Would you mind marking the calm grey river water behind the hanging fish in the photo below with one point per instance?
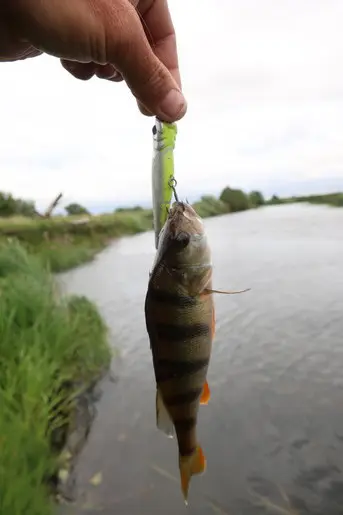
(273, 429)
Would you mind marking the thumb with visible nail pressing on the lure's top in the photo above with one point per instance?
(130, 52)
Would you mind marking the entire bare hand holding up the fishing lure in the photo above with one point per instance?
(130, 40)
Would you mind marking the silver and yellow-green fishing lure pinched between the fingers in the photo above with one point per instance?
(162, 173)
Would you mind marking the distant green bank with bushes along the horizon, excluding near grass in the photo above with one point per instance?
(65, 241)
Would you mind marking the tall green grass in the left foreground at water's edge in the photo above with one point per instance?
(48, 345)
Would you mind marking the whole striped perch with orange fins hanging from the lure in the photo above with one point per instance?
(180, 321)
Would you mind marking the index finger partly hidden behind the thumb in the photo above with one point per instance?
(160, 32)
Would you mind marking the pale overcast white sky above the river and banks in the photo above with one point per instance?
(264, 85)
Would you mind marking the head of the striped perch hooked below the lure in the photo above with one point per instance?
(183, 242)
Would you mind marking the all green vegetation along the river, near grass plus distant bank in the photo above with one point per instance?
(55, 348)
